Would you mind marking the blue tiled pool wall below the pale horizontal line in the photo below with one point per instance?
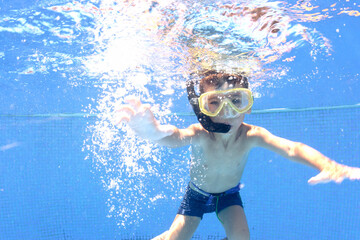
(48, 190)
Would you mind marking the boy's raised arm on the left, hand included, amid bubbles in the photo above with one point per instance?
(141, 119)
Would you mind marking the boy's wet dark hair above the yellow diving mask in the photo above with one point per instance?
(217, 79)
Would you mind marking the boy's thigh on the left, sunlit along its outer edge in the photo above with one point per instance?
(183, 227)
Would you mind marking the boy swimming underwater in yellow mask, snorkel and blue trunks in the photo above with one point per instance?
(220, 146)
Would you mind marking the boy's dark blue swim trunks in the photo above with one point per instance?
(196, 204)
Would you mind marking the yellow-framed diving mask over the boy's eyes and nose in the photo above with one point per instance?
(236, 100)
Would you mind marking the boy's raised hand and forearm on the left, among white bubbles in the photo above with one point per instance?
(141, 119)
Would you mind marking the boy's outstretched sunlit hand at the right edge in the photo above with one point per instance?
(337, 173)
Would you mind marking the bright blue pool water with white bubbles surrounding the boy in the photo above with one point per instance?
(67, 173)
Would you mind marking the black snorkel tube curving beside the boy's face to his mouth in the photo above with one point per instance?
(204, 120)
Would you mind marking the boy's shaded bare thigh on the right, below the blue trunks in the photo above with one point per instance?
(234, 222)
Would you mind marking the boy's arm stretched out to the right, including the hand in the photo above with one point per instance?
(299, 152)
